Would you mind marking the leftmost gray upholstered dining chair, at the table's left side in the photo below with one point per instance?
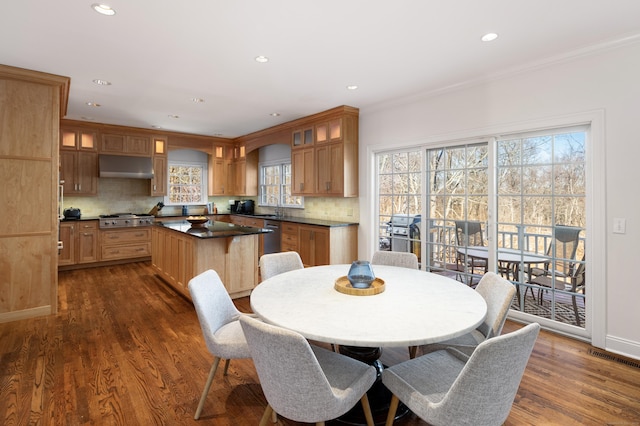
(218, 318)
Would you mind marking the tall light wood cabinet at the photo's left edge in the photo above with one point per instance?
(31, 105)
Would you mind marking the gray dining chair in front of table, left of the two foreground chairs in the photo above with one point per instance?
(302, 382)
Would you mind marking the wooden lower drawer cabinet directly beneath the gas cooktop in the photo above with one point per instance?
(127, 243)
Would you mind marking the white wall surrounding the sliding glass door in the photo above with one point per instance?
(606, 83)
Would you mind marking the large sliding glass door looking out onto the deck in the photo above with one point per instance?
(511, 204)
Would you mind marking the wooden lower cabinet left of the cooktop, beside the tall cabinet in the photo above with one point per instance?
(79, 242)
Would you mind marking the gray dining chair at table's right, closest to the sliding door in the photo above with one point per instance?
(498, 293)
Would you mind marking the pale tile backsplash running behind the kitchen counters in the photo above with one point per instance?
(132, 196)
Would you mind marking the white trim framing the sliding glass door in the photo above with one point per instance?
(596, 274)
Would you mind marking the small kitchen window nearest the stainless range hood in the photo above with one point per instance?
(187, 178)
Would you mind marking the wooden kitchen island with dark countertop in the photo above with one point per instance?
(180, 251)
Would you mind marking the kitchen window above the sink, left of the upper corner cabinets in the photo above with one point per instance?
(275, 186)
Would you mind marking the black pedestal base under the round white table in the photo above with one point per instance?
(379, 396)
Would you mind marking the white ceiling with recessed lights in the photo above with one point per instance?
(160, 54)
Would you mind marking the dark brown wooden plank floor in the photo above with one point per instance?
(126, 350)
